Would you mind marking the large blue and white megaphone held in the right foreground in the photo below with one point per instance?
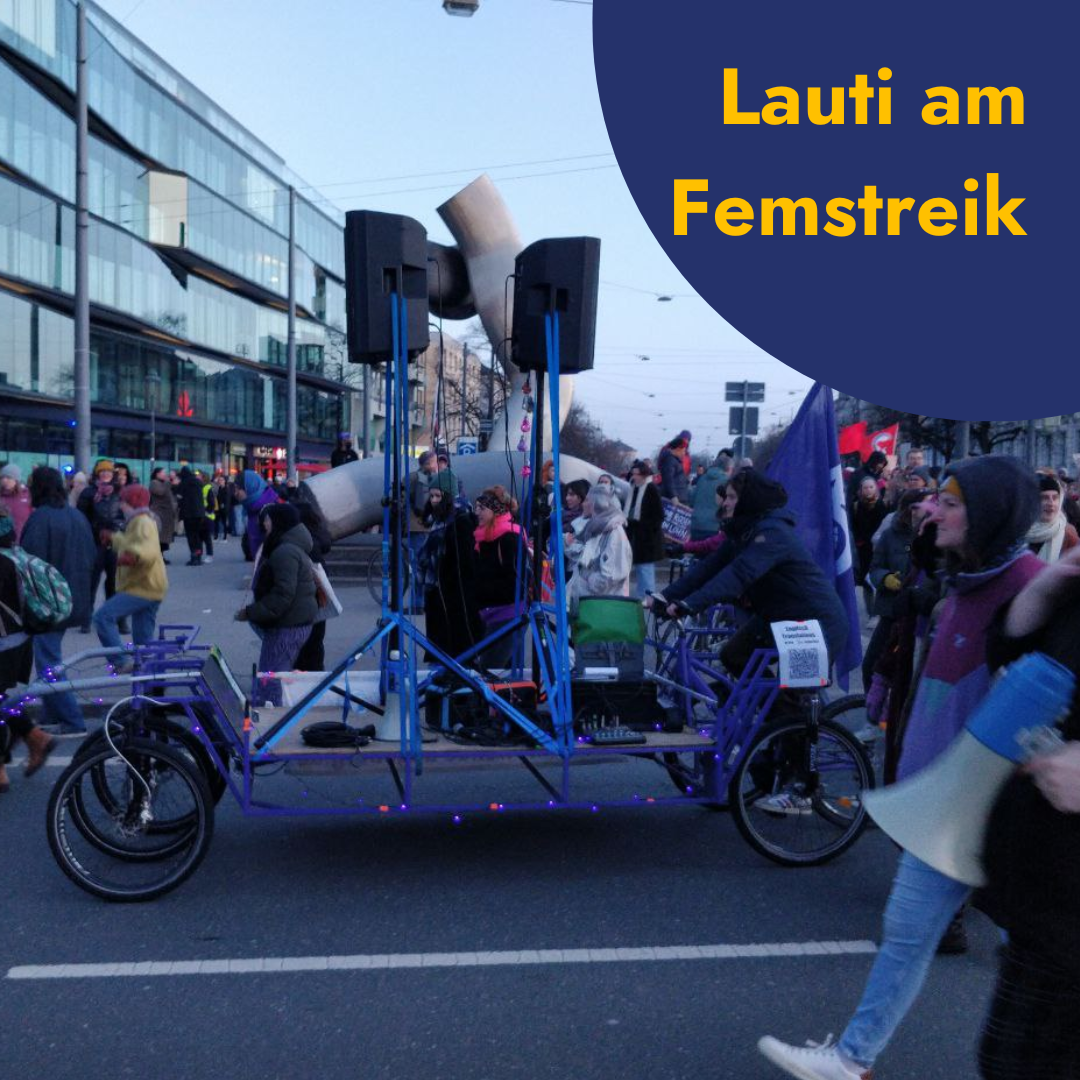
(940, 815)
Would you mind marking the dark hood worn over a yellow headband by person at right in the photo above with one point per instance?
(1003, 501)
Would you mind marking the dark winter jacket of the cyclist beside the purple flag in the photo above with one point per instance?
(767, 565)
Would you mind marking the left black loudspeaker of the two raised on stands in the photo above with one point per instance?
(384, 253)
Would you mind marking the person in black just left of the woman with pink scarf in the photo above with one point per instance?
(447, 566)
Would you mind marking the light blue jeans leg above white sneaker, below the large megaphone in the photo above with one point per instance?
(921, 908)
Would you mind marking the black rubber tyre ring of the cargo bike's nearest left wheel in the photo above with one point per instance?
(96, 872)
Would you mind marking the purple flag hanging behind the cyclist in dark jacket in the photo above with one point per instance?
(808, 465)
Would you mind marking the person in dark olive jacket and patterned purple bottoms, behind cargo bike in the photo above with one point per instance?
(285, 607)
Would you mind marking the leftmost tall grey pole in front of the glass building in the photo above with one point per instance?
(83, 416)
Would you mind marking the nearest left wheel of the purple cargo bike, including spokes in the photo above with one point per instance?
(151, 781)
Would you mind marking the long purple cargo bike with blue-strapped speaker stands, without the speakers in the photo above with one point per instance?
(133, 816)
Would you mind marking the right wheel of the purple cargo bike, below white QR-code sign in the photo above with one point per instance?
(801, 804)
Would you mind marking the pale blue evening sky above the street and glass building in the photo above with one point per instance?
(394, 105)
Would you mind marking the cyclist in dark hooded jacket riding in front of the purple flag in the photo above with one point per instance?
(764, 563)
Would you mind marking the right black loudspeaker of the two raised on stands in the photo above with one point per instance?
(561, 275)
